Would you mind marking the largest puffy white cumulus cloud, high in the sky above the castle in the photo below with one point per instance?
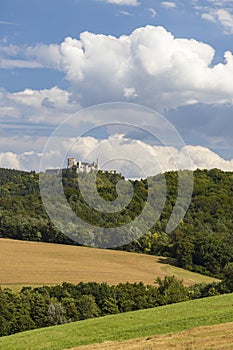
(160, 70)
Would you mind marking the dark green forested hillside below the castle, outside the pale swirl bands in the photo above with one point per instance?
(202, 242)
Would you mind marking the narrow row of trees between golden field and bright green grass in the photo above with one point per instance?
(46, 306)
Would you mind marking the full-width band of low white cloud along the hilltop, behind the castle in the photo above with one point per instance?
(133, 158)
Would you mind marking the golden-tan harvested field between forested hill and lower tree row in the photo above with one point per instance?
(32, 263)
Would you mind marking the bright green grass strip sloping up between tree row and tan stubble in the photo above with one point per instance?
(144, 323)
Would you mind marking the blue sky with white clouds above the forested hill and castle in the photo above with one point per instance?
(59, 58)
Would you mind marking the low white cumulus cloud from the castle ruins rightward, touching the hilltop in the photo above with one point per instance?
(135, 158)
